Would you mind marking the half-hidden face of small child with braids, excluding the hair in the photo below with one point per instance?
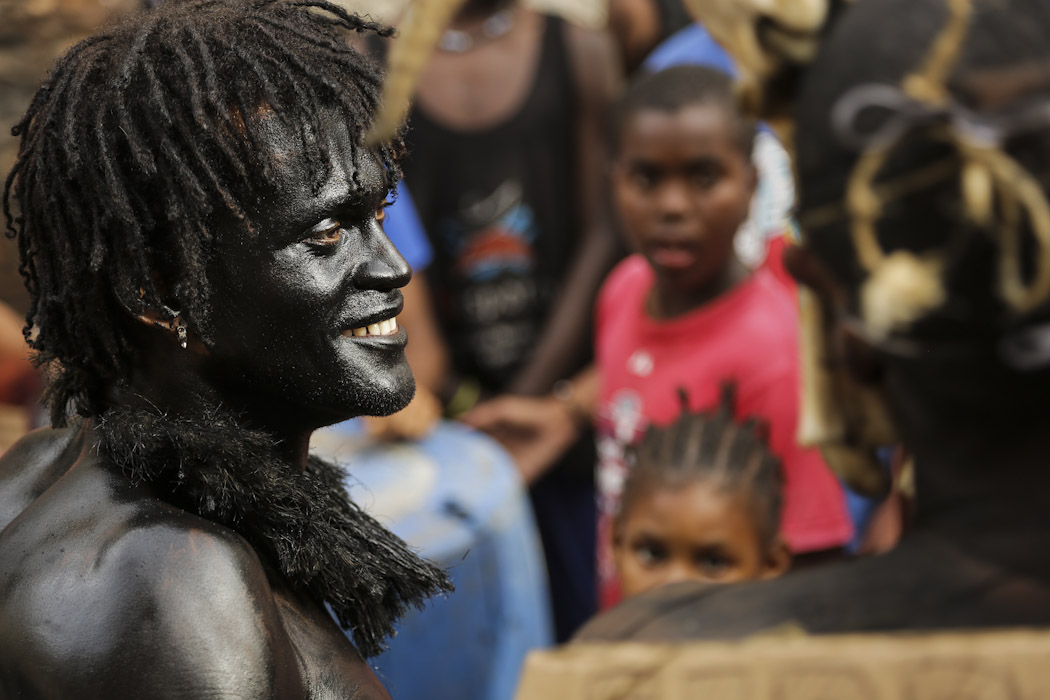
(698, 532)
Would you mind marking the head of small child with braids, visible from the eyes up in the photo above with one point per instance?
(702, 503)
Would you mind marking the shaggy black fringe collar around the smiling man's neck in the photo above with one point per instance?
(215, 466)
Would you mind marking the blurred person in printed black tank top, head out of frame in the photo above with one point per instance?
(513, 201)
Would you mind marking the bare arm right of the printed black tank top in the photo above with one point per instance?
(566, 335)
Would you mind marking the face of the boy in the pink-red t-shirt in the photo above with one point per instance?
(683, 188)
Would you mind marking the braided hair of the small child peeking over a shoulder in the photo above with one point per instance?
(710, 446)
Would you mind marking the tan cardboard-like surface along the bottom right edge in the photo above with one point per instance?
(996, 666)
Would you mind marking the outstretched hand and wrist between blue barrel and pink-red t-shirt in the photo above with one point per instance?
(537, 431)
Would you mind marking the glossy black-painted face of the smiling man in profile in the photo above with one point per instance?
(303, 306)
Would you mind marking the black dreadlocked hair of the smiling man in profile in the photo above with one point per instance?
(140, 137)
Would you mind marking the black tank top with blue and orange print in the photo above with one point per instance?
(499, 206)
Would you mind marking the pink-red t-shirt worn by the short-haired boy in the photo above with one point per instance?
(749, 335)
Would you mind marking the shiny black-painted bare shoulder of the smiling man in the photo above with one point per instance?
(101, 578)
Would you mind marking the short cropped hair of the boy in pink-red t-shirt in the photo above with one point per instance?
(676, 89)
